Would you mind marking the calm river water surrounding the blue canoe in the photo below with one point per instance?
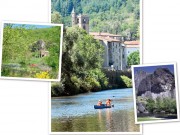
(77, 113)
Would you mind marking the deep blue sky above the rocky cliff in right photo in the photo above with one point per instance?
(151, 69)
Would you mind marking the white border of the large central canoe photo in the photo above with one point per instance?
(141, 60)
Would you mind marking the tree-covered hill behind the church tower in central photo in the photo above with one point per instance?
(113, 16)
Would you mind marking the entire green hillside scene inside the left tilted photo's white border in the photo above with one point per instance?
(31, 51)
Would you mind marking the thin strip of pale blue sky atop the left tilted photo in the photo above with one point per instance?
(30, 25)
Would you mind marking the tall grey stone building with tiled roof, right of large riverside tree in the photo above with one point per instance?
(114, 50)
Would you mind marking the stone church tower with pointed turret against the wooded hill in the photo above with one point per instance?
(80, 20)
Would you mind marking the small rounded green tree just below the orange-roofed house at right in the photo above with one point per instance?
(133, 59)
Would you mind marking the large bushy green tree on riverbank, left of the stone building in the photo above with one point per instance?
(81, 64)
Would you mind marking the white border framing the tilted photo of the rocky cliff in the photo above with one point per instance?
(176, 89)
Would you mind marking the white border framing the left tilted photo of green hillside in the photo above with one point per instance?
(32, 79)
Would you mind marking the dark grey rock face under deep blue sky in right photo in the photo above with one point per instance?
(160, 83)
